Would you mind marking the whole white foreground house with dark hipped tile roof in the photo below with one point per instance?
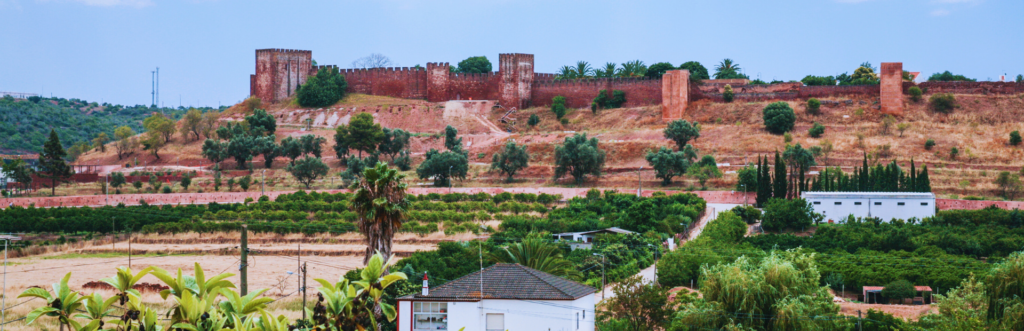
(515, 299)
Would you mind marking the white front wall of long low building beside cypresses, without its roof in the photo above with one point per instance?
(886, 210)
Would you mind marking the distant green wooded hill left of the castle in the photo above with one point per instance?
(25, 125)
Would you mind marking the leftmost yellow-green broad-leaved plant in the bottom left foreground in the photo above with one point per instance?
(61, 305)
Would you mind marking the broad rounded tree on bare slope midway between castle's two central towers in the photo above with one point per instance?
(579, 158)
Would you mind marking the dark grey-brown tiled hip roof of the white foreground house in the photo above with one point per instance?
(508, 281)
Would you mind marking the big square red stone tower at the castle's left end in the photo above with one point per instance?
(279, 72)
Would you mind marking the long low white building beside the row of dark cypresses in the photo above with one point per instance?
(884, 205)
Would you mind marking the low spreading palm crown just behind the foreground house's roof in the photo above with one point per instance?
(537, 255)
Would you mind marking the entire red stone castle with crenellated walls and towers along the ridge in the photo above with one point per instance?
(280, 72)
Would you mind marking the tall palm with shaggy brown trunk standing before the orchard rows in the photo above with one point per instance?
(380, 202)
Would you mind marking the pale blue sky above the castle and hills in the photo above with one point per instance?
(105, 51)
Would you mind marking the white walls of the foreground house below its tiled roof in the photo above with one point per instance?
(520, 315)
